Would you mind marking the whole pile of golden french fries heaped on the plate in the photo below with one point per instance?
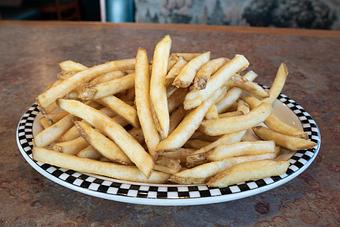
(182, 117)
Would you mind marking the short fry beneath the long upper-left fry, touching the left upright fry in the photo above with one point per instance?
(108, 88)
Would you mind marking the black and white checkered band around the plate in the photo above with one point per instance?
(113, 187)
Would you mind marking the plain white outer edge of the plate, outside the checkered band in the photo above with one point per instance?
(173, 201)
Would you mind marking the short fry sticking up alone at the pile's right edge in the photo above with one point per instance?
(278, 83)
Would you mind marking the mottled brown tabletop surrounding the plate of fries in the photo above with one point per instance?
(30, 52)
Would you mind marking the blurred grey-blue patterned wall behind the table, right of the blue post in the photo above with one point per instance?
(320, 14)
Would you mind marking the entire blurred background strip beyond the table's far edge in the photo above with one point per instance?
(318, 14)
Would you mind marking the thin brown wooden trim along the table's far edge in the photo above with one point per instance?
(181, 27)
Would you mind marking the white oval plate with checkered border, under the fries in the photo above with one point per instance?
(170, 194)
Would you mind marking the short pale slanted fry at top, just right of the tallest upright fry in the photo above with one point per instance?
(188, 72)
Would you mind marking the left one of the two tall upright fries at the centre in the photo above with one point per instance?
(143, 102)
